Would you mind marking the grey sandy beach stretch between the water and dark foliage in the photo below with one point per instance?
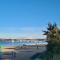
(25, 53)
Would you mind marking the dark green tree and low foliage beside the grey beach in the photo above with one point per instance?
(53, 47)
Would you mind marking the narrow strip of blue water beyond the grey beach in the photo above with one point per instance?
(21, 43)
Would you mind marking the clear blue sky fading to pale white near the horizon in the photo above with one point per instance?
(27, 18)
